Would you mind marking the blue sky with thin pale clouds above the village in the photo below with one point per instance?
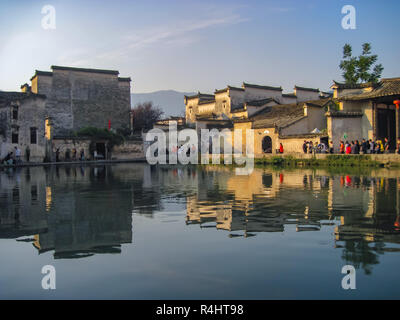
(196, 45)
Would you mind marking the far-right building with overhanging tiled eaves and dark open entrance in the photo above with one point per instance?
(366, 111)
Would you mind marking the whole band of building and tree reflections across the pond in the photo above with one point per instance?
(78, 211)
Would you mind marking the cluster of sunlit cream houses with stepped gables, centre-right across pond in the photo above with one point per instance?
(274, 116)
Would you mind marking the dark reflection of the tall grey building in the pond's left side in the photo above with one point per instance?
(59, 216)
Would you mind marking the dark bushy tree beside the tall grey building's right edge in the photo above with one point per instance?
(144, 115)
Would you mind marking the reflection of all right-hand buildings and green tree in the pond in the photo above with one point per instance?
(363, 213)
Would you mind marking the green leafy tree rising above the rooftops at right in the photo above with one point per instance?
(357, 69)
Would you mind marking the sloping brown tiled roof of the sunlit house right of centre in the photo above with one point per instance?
(284, 115)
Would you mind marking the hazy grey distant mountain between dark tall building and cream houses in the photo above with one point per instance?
(170, 101)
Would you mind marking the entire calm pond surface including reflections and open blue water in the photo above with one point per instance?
(131, 231)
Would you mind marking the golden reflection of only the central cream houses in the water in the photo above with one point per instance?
(261, 202)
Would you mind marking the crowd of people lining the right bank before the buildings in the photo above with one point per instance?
(365, 146)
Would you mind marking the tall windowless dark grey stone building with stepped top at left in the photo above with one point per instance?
(78, 98)
